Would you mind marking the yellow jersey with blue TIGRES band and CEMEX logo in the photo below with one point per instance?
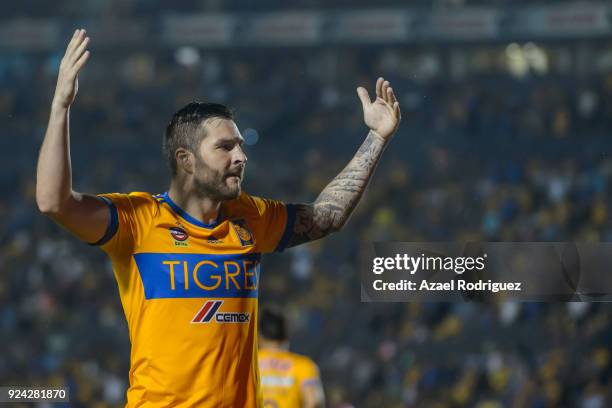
(189, 293)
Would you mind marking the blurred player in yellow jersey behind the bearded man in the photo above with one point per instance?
(288, 380)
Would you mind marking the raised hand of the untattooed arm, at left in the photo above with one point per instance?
(75, 58)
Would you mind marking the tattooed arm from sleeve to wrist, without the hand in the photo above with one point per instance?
(337, 201)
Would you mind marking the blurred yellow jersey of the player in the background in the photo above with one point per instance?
(283, 377)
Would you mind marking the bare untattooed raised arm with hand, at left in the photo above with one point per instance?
(84, 215)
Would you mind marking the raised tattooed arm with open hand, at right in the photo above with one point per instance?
(334, 205)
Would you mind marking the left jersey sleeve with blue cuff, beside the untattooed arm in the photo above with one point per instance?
(130, 218)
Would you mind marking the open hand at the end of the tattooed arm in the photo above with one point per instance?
(383, 115)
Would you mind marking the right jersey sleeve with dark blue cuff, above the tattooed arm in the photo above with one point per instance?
(273, 223)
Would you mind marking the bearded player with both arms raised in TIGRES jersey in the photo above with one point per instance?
(187, 261)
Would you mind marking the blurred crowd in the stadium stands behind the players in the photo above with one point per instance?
(483, 156)
